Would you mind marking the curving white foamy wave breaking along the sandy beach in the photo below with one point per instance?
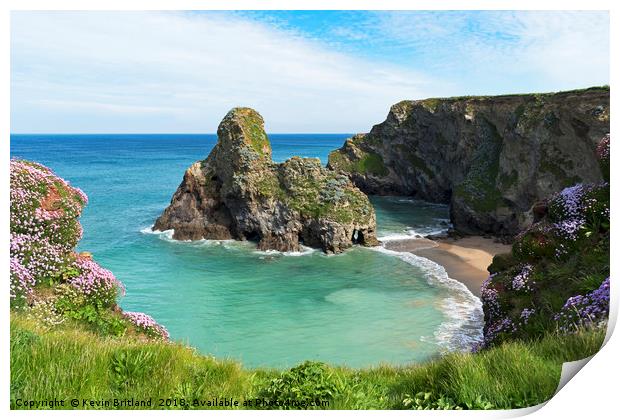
(465, 318)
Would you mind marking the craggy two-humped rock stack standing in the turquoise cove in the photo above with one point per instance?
(238, 192)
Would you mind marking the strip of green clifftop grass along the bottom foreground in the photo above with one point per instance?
(66, 363)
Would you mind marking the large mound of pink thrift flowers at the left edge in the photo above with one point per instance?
(44, 231)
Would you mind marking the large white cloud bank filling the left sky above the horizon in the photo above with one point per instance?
(188, 70)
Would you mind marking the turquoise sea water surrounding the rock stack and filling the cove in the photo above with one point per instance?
(360, 308)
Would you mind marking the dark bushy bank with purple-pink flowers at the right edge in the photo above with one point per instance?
(548, 282)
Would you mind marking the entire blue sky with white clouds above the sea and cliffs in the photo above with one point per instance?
(304, 71)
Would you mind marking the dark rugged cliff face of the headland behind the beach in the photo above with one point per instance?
(490, 158)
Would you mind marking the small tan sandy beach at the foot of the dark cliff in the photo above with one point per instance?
(465, 259)
